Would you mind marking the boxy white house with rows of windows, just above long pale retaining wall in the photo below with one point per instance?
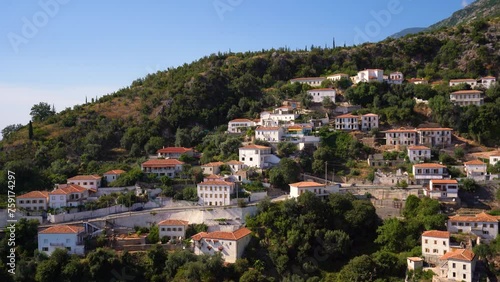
(215, 192)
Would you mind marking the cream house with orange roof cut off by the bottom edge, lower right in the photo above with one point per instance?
(459, 265)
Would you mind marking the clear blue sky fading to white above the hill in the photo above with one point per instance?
(61, 51)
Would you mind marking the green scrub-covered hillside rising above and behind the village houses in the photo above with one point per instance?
(121, 128)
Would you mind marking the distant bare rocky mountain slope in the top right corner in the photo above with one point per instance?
(478, 9)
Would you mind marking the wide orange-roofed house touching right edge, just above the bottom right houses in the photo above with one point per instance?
(482, 225)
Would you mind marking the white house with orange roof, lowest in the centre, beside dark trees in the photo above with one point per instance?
(230, 245)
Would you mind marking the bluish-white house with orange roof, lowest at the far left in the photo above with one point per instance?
(67, 237)
